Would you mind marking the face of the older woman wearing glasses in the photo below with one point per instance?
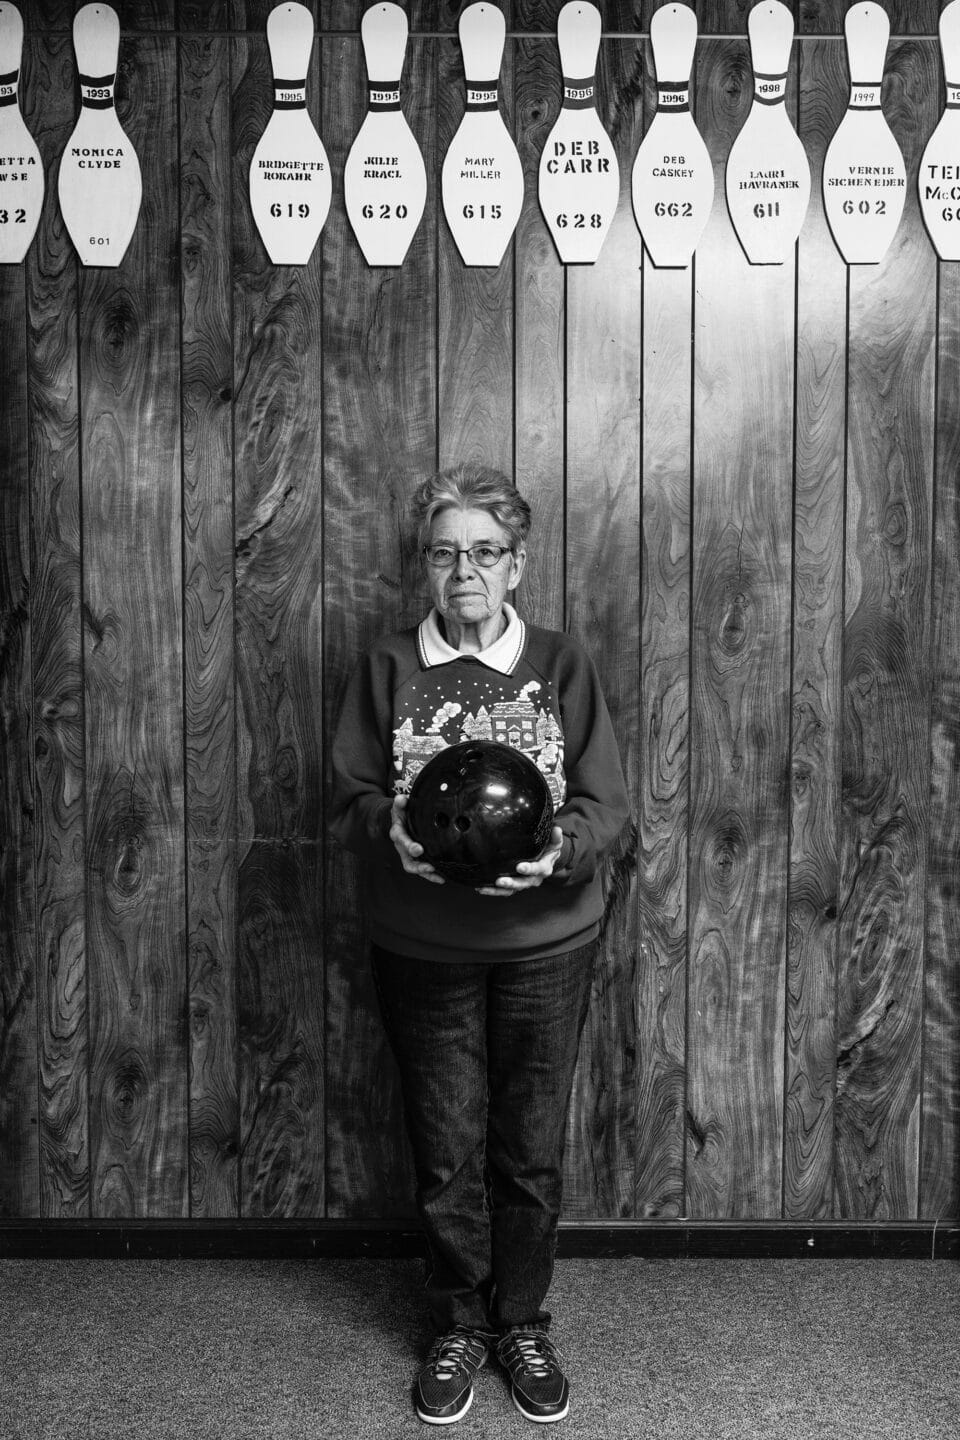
(468, 594)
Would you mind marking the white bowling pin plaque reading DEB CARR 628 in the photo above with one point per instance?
(579, 175)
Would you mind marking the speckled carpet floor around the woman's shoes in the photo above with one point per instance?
(326, 1350)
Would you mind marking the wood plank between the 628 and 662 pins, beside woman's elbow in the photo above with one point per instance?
(604, 447)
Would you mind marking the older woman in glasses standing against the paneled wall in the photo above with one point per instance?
(483, 991)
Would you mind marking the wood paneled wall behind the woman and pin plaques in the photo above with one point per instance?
(746, 505)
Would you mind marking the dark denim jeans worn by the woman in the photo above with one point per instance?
(487, 1055)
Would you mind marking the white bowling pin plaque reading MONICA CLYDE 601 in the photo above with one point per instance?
(99, 185)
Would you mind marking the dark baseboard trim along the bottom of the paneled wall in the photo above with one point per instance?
(304, 1241)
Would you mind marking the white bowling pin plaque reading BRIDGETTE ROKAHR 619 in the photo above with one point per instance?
(290, 172)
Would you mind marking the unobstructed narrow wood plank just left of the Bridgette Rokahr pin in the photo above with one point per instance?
(209, 676)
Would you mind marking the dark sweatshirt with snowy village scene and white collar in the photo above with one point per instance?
(538, 690)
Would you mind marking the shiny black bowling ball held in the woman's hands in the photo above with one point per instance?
(479, 809)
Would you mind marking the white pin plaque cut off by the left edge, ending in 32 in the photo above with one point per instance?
(21, 166)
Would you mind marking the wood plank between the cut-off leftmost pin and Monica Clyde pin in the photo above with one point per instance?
(58, 686)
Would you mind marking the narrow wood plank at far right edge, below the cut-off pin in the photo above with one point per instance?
(941, 1150)
